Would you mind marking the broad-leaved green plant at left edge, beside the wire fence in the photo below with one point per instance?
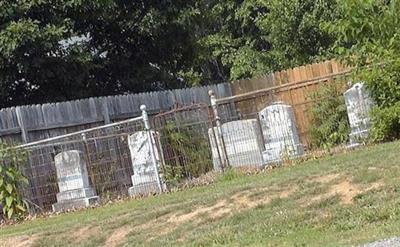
(10, 180)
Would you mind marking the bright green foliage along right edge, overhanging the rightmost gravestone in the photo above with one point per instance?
(368, 37)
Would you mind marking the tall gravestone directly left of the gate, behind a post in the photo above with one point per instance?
(145, 178)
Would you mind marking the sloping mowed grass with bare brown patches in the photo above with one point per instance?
(341, 200)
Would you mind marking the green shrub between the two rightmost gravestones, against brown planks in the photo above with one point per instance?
(329, 126)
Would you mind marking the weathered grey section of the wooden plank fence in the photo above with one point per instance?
(36, 122)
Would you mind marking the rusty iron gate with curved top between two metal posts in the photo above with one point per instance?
(184, 138)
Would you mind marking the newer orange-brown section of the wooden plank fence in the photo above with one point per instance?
(293, 86)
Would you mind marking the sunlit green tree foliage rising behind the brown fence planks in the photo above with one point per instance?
(250, 38)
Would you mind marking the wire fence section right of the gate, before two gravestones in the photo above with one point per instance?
(271, 125)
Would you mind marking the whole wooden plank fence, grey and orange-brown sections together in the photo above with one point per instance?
(293, 86)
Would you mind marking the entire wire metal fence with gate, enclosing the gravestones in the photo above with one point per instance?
(139, 157)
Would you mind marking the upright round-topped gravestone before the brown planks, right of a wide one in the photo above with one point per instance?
(280, 134)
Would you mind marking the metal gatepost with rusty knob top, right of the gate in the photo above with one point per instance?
(219, 137)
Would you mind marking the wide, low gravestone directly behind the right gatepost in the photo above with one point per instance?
(243, 144)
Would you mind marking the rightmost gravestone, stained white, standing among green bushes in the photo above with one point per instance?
(358, 103)
